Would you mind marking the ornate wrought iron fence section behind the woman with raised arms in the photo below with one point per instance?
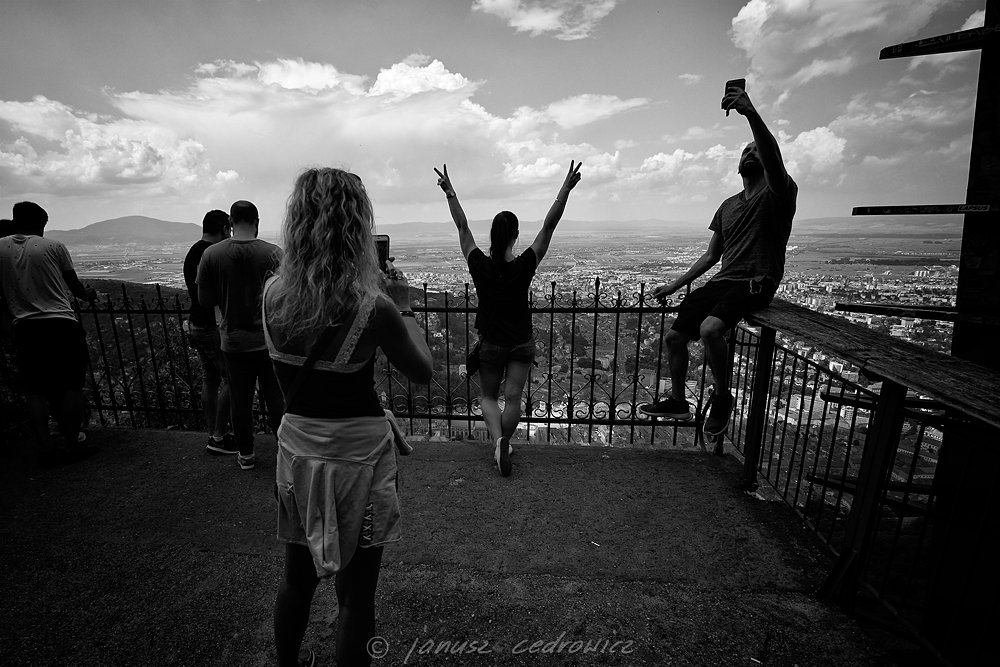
(600, 355)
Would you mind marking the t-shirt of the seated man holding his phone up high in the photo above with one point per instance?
(755, 233)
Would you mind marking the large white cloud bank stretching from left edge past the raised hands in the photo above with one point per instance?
(243, 130)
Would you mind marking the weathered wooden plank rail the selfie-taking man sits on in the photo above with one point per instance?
(970, 389)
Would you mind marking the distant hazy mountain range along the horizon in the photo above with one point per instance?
(144, 231)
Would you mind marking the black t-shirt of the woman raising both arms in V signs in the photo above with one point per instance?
(503, 316)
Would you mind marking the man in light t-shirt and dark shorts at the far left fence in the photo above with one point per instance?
(35, 275)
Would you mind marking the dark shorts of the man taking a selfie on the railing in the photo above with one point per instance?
(728, 300)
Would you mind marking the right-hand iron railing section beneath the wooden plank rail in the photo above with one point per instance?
(858, 463)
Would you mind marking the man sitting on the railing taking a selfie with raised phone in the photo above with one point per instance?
(751, 230)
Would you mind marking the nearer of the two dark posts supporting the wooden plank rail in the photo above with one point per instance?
(841, 584)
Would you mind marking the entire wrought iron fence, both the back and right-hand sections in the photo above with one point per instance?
(856, 460)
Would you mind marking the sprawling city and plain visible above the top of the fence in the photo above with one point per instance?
(909, 260)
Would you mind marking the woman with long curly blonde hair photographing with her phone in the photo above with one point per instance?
(336, 471)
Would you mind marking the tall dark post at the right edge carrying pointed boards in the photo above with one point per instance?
(961, 605)
